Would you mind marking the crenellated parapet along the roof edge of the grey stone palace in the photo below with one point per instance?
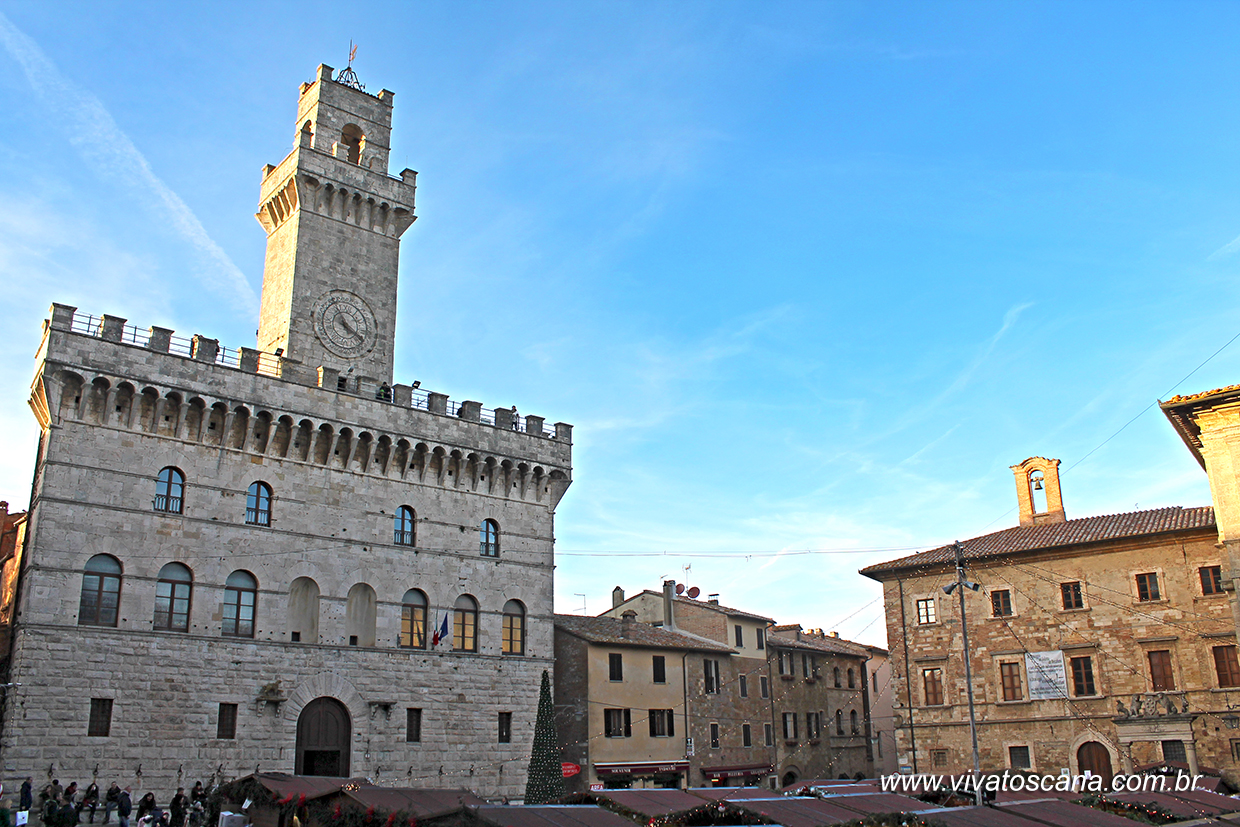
(197, 365)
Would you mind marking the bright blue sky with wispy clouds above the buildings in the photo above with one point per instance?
(803, 276)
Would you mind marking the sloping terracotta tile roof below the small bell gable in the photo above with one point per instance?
(1073, 533)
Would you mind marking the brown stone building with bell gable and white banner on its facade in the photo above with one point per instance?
(1123, 614)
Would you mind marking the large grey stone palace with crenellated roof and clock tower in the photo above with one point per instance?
(242, 560)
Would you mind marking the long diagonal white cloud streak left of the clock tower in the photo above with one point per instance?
(96, 135)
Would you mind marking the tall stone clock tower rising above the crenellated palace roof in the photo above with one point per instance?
(334, 219)
